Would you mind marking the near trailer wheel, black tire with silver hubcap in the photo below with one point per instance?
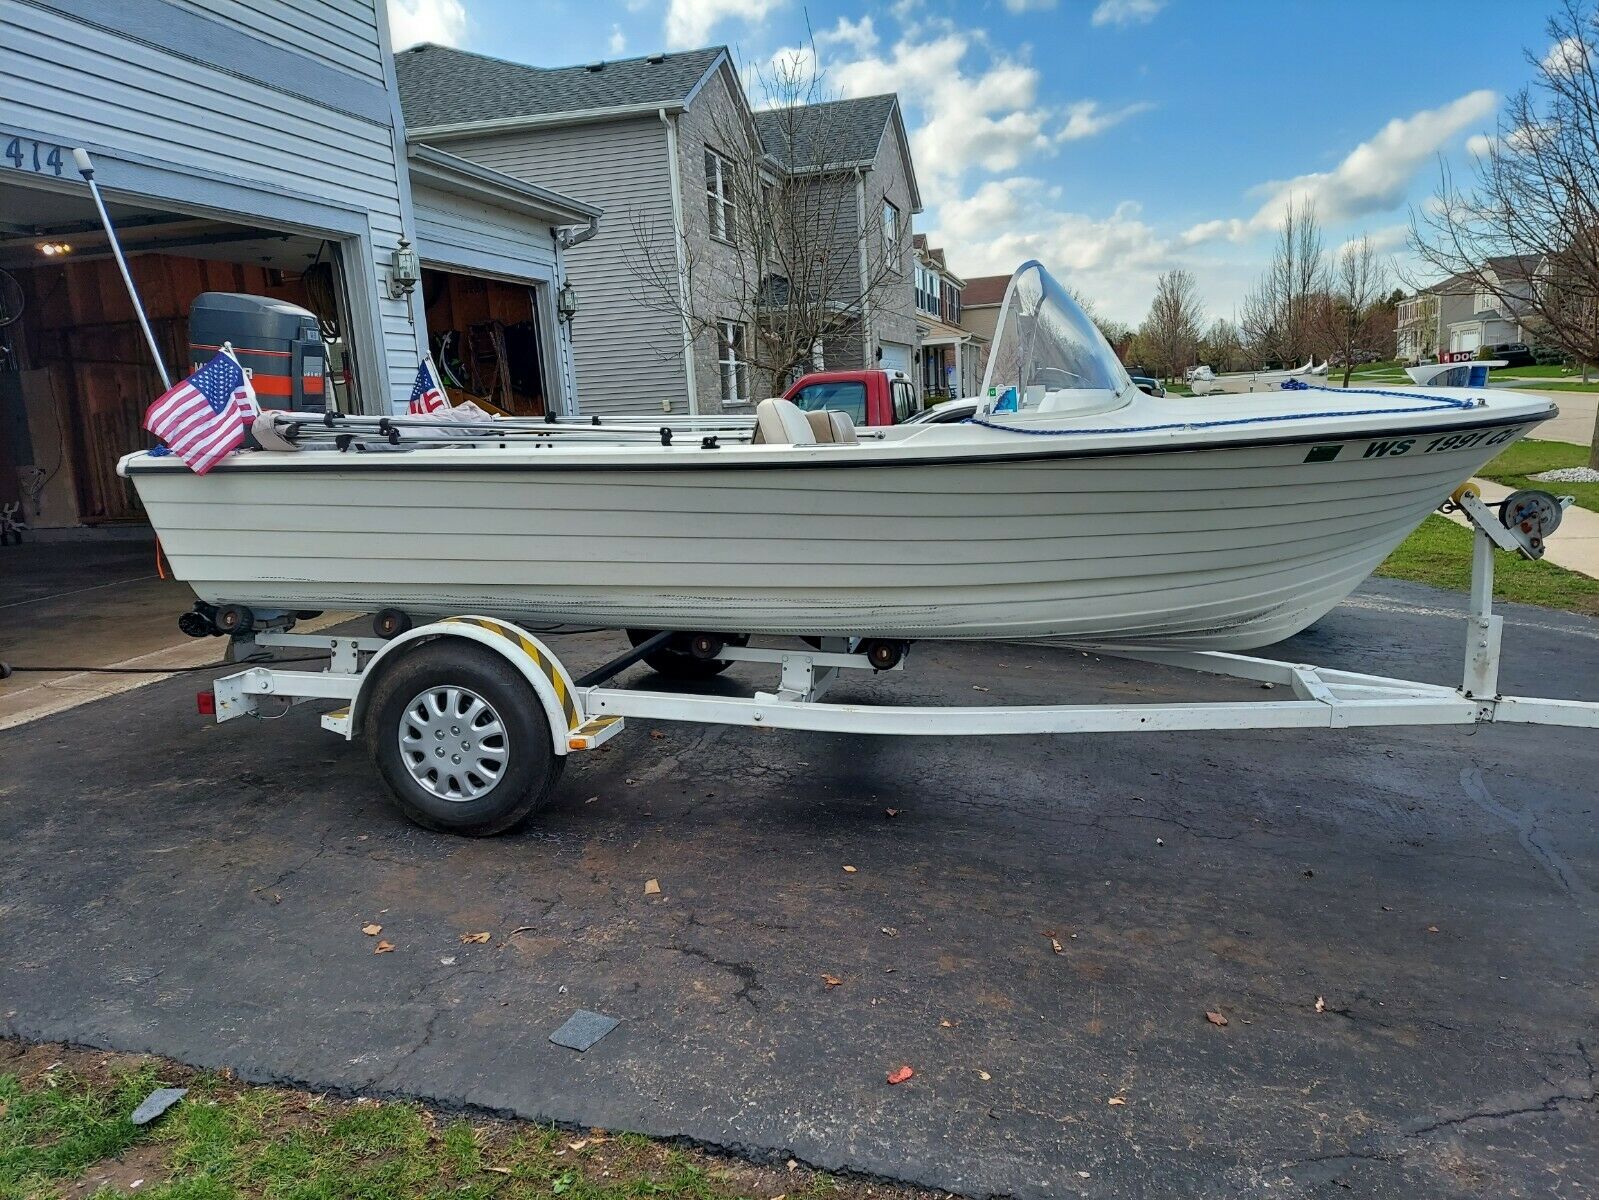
(461, 740)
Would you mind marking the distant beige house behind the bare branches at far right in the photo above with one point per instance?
(1467, 313)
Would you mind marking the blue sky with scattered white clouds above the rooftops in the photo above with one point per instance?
(1109, 138)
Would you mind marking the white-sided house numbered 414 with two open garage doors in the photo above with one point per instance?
(247, 146)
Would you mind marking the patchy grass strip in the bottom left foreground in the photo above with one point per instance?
(65, 1132)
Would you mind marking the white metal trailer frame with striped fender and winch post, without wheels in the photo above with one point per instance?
(583, 714)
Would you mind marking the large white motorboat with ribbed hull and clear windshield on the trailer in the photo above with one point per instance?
(1072, 506)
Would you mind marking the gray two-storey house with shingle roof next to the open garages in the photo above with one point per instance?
(669, 148)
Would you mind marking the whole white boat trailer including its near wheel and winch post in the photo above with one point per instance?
(471, 719)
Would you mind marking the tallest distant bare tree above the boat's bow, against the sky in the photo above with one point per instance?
(1283, 316)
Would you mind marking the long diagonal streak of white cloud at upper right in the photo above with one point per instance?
(1373, 178)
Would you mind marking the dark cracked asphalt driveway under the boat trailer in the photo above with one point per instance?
(1398, 927)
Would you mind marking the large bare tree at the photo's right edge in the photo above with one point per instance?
(1528, 228)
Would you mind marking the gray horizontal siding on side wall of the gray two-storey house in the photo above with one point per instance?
(628, 348)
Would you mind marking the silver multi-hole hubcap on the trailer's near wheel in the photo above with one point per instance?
(453, 743)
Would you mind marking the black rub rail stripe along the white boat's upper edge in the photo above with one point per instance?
(708, 460)
